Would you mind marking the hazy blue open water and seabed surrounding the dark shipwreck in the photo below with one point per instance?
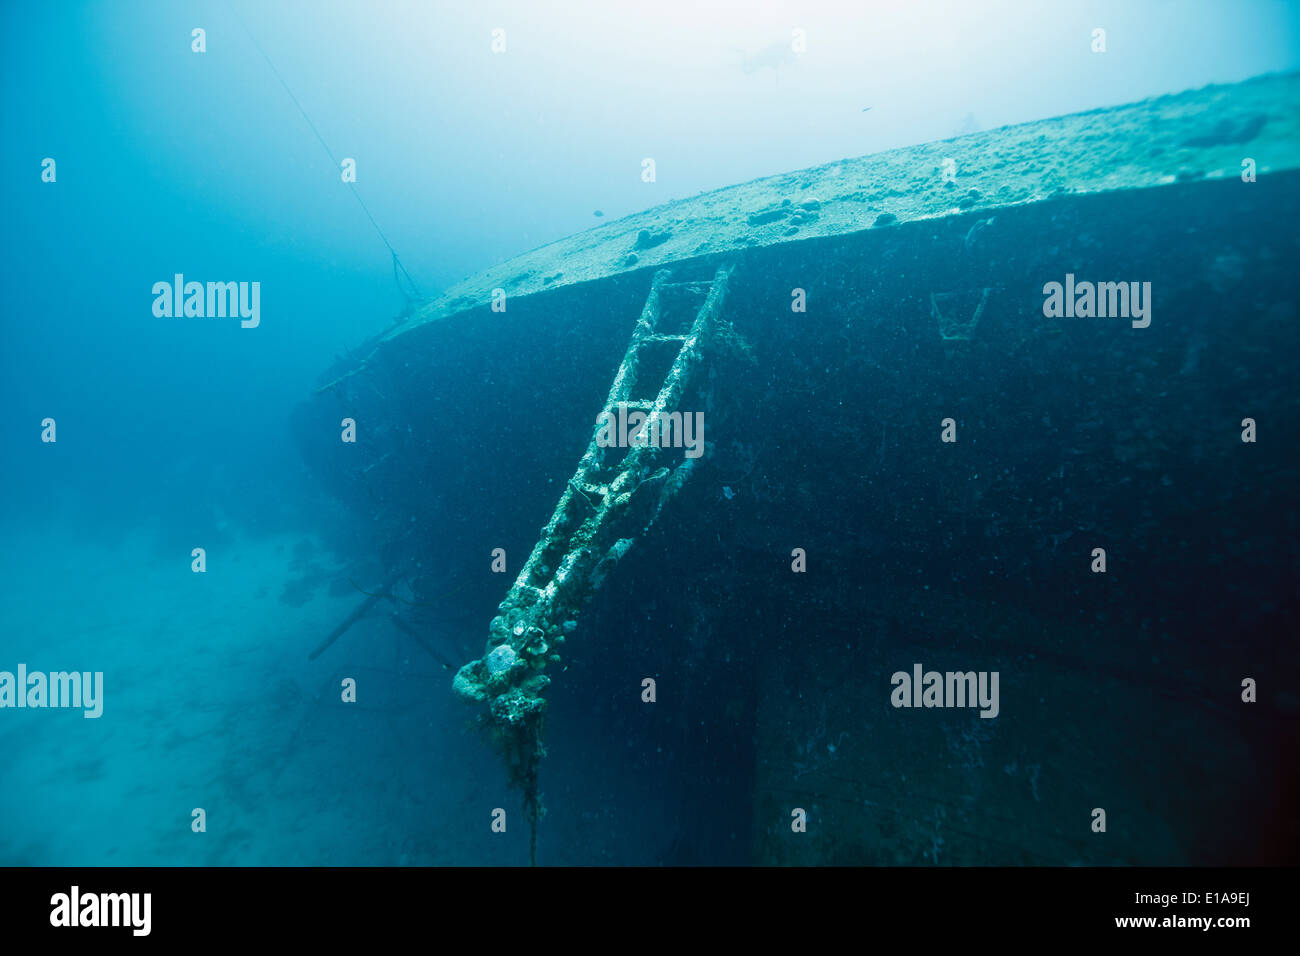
(179, 434)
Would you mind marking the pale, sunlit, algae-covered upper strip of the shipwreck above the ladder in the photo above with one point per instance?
(1204, 133)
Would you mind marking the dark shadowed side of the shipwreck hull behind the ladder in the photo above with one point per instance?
(1119, 691)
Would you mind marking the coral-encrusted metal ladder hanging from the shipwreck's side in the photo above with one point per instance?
(613, 499)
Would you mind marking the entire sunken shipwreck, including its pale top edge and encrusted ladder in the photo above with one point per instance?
(900, 491)
